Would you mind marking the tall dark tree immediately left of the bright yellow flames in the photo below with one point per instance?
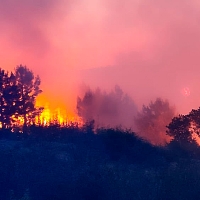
(29, 88)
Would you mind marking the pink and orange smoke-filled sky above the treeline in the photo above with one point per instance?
(150, 48)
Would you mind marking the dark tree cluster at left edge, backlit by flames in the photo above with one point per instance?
(18, 92)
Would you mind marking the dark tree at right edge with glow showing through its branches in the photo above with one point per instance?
(184, 129)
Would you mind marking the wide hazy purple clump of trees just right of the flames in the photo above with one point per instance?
(107, 109)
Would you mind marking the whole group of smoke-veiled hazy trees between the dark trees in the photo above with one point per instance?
(118, 109)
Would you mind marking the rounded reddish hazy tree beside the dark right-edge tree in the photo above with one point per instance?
(152, 120)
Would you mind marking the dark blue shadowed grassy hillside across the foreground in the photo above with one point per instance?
(76, 163)
